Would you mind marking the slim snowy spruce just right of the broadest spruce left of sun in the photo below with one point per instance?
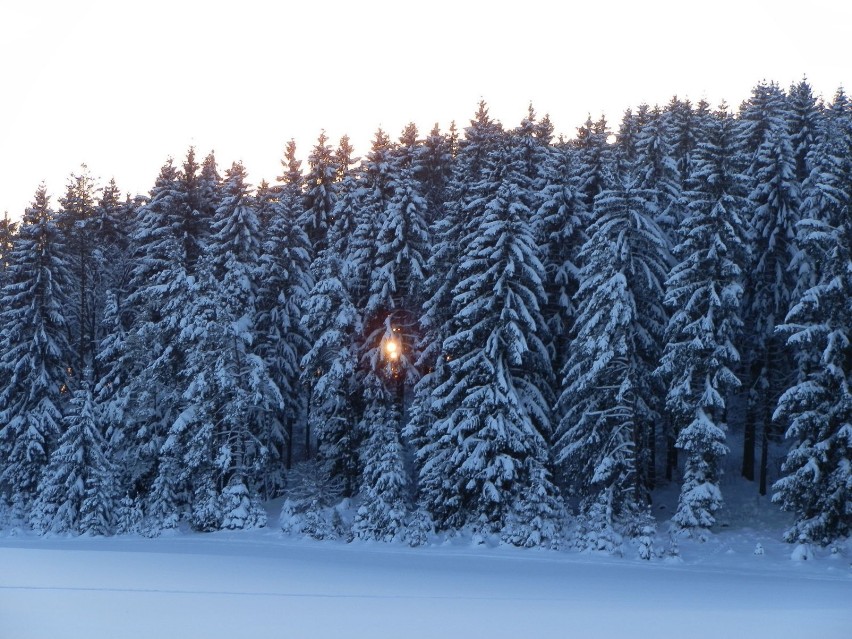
(285, 282)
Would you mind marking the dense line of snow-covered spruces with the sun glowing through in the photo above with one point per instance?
(497, 331)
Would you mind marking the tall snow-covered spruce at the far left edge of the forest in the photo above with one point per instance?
(34, 354)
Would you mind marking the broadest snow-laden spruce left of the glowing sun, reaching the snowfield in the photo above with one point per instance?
(231, 399)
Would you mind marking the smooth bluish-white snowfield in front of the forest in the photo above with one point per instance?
(262, 584)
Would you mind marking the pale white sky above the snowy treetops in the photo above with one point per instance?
(122, 85)
